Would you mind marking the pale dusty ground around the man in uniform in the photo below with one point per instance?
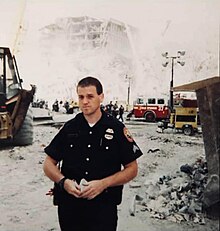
(25, 207)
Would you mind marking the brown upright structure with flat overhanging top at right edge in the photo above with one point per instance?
(208, 97)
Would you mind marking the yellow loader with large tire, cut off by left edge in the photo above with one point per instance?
(16, 119)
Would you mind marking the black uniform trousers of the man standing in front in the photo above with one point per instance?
(88, 216)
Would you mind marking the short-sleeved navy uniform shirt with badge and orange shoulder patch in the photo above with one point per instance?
(93, 152)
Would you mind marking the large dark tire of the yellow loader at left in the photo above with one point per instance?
(24, 136)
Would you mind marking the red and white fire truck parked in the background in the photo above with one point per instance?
(153, 109)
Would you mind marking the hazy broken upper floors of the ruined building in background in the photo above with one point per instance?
(83, 33)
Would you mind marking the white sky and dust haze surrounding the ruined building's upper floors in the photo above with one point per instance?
(164, 25)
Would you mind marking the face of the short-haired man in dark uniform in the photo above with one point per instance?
(89, 100)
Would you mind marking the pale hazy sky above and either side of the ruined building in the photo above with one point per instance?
(165, 25)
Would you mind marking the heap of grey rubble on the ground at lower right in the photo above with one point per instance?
(177, 198)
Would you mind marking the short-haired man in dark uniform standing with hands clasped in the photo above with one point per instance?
(98, 157)
